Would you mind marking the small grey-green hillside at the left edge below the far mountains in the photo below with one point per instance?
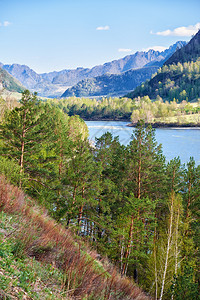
(9, 83)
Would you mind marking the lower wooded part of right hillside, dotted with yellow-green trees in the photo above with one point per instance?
(173, 82)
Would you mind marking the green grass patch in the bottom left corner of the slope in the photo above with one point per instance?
(22, 276)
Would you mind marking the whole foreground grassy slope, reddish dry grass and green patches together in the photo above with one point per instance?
(40, 259)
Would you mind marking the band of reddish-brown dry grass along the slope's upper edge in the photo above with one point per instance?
(48, 241)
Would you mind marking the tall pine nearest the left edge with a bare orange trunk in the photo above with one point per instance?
(25, 132)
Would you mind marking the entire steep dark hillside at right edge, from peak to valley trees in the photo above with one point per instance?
(179, 78)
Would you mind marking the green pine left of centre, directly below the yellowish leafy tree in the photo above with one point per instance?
(81, 179)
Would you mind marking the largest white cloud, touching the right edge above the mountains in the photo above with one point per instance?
(180, 31)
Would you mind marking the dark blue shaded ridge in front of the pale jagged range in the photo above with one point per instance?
(110, 84)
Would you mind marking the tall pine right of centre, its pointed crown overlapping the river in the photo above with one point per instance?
(145, 172)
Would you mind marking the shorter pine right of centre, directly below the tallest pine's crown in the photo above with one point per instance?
(139, 223)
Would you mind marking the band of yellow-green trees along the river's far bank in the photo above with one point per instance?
(130, 109)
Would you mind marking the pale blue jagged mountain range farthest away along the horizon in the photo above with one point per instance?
(55, 83)
